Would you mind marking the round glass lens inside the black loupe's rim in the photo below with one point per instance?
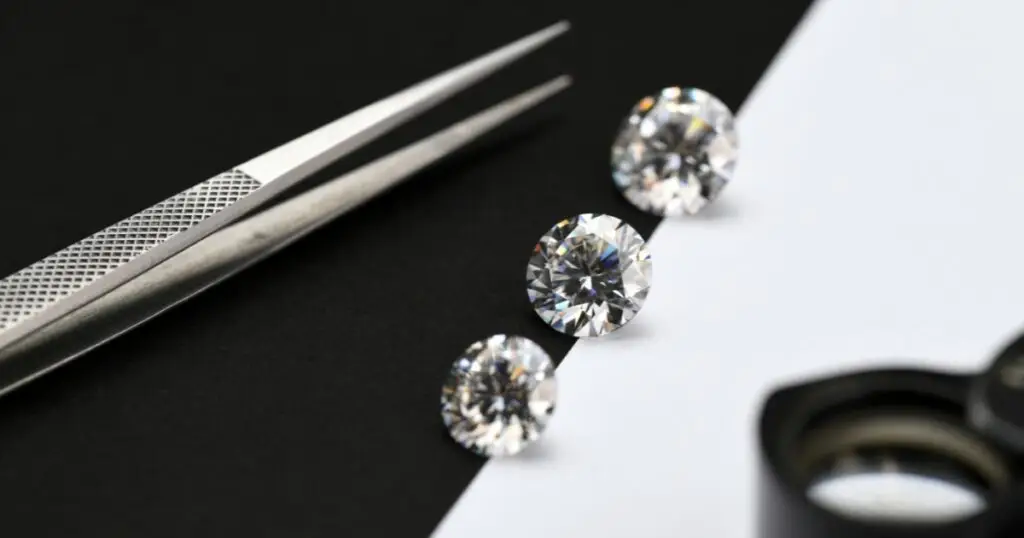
(895, 467)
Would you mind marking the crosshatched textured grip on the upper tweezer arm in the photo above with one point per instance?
(33, 289)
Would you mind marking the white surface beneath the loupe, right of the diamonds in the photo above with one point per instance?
(876, 219)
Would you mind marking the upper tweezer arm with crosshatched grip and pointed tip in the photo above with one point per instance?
(63, 283)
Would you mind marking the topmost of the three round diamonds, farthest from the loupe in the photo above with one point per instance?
(675, 152)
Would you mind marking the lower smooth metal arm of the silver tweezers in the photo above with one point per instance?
(238, 246)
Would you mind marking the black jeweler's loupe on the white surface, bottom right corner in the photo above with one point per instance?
(897, 453)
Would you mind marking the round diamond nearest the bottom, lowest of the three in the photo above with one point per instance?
(499, 396)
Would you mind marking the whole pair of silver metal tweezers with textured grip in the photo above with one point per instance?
(111, 282)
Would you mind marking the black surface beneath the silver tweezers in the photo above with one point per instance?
(301, 398)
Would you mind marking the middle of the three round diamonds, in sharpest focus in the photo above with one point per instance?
(589, 275)
